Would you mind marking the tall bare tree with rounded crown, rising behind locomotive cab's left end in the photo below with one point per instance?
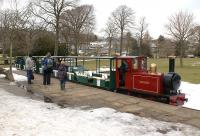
(123, 18)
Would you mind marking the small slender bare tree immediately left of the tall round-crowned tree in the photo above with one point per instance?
(110, 32)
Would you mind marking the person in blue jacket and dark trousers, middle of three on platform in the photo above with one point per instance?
(47, 65)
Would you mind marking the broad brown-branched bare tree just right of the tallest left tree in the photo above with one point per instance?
(79, 20)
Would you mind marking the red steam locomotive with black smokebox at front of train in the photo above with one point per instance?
(132, 75)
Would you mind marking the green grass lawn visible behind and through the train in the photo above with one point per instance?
(189, 73)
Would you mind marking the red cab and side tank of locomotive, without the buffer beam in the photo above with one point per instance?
(140, 78)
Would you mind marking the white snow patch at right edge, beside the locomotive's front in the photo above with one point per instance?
(192, 92)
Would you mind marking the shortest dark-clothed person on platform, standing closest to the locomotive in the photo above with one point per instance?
(62, 75)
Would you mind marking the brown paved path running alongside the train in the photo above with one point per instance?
(80, 95)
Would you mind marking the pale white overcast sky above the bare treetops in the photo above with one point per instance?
(156, 12)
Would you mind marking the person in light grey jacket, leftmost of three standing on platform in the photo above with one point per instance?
(29, 68)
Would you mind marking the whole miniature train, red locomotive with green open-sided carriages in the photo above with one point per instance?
(128, 73)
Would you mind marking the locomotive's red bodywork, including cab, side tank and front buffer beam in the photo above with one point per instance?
(141, 80)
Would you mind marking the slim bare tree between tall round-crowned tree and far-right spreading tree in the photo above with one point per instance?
(142, 29)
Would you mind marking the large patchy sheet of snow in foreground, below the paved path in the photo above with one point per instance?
(21, 116)
